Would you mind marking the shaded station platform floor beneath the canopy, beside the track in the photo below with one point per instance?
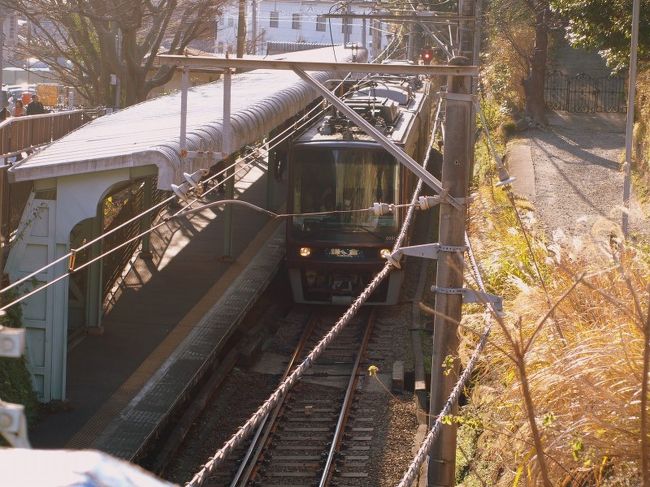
(167, 316)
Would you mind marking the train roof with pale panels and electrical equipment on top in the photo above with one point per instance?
(381, 100)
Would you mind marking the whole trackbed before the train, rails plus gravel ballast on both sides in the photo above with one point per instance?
(325, 431)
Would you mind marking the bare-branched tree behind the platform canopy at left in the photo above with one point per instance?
(85, 41)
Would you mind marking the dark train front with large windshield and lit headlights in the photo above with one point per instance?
(336, 245)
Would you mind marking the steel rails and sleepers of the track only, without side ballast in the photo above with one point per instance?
(301, 442)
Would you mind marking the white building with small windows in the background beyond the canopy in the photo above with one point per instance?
(296, 21)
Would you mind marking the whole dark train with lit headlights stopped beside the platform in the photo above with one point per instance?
(334, 168)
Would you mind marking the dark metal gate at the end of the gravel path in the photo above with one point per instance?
(584, 94)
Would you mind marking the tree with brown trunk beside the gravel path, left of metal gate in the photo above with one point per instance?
(524, 25)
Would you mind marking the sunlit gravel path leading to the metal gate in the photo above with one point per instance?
(578, 177)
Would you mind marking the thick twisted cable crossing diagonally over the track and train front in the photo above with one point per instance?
(281, 390)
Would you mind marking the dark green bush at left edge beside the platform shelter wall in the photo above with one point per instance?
(15, 380)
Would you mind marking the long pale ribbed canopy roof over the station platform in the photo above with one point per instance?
(148, 133)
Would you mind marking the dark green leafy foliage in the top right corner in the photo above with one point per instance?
(605, 25)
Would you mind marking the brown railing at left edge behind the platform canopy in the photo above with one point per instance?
(20, 134)
